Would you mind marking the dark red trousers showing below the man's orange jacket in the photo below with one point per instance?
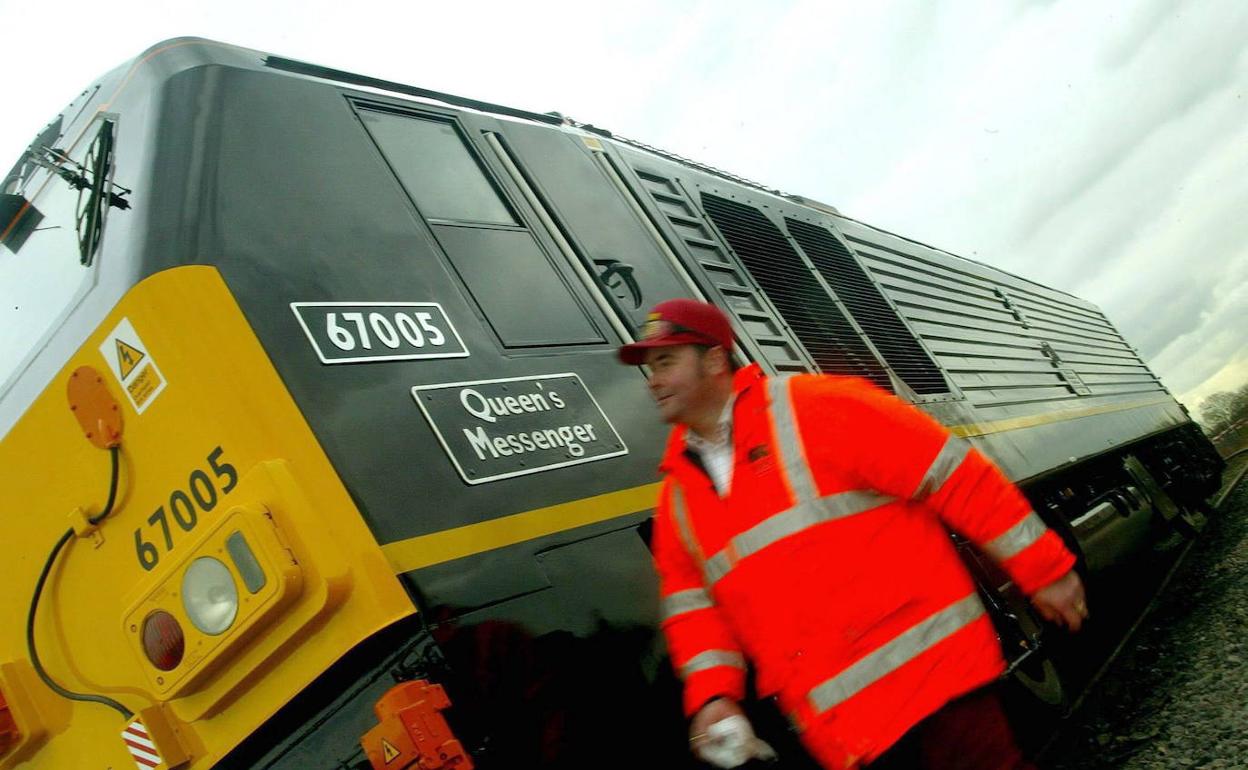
(970, 733)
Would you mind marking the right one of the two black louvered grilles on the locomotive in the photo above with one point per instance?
(869, 308)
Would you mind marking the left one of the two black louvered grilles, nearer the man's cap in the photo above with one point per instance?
(809, 311)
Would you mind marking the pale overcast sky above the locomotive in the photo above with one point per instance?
(1096, 147)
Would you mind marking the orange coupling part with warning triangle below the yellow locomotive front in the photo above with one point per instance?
(412, 734)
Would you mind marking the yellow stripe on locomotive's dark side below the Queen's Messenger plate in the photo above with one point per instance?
(439, 547)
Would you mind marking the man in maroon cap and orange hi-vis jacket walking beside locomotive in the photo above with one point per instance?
(802, 526)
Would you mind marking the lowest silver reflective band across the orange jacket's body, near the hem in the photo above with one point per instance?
(893, 656)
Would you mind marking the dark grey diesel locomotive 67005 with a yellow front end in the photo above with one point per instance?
(316, 452)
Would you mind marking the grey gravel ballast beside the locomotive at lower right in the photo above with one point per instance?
(1172, 693)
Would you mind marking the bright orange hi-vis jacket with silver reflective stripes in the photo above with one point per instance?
(828, 563)
